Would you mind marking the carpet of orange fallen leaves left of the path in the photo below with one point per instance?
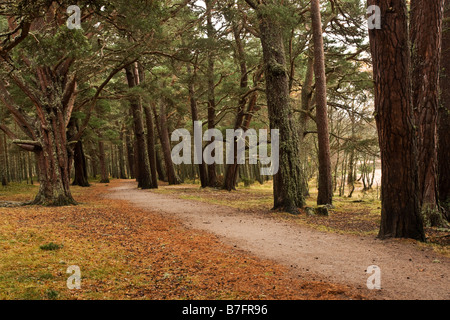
(128, 253)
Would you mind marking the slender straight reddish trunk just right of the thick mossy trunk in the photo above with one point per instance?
(325, 195)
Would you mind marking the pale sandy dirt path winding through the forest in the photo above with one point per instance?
(408, 271)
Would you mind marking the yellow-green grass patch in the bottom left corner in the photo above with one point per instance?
(29, 272)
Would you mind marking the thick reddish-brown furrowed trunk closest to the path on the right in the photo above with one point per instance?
(400, 210)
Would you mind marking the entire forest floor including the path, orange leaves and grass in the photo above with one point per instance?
(181, 242)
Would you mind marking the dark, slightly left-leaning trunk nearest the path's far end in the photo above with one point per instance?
(143, 178)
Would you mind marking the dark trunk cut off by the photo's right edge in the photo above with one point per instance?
(444, 118)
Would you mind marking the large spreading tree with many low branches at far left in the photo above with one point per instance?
(40, 84)
